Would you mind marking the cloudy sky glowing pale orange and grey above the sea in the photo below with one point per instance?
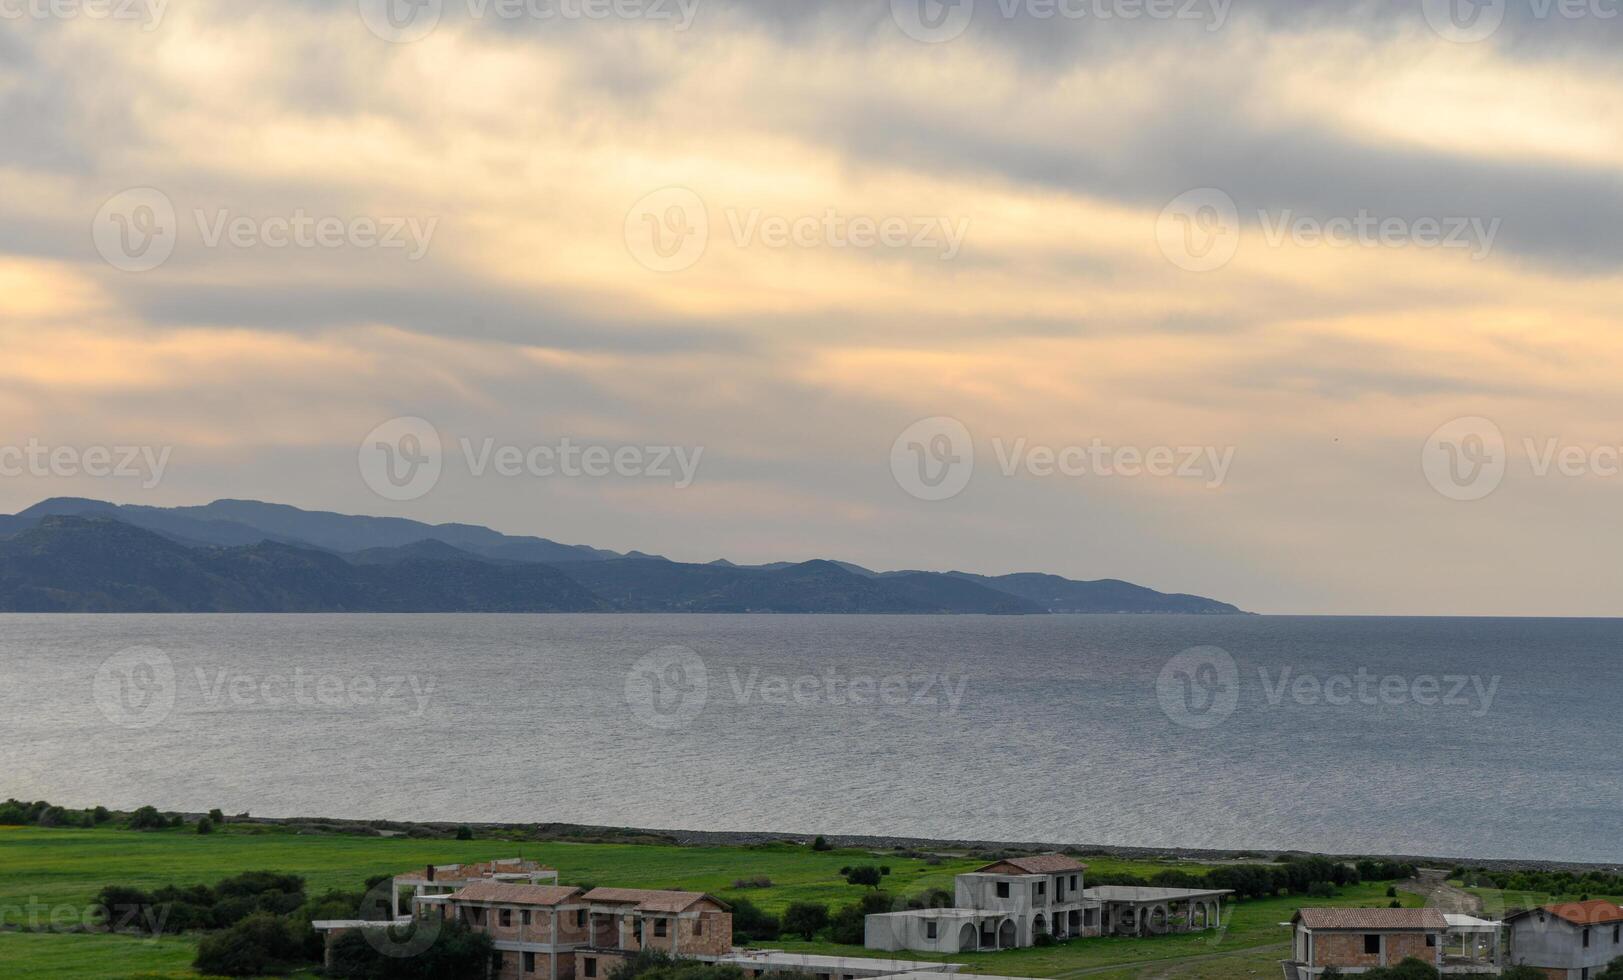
(1311, 307)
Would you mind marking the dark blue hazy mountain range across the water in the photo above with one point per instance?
(244, 556)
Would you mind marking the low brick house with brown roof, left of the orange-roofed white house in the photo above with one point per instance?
(1358, 940)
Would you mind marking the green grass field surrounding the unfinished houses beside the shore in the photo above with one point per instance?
(58, 872)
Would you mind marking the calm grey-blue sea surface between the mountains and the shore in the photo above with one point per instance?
(1450, 737)
